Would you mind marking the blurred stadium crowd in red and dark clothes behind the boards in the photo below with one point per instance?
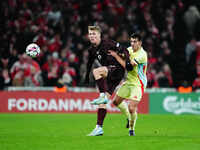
(170, 30)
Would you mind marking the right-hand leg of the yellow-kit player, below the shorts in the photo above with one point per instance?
(133, 111)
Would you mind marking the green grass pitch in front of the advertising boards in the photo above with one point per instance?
(68, 132)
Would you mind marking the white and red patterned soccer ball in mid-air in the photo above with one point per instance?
(33, 50)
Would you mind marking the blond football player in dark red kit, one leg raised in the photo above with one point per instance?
(107, 76)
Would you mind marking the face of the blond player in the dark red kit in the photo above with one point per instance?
(94, 37)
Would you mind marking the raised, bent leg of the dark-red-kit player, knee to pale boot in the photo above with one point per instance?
(100, 75)
